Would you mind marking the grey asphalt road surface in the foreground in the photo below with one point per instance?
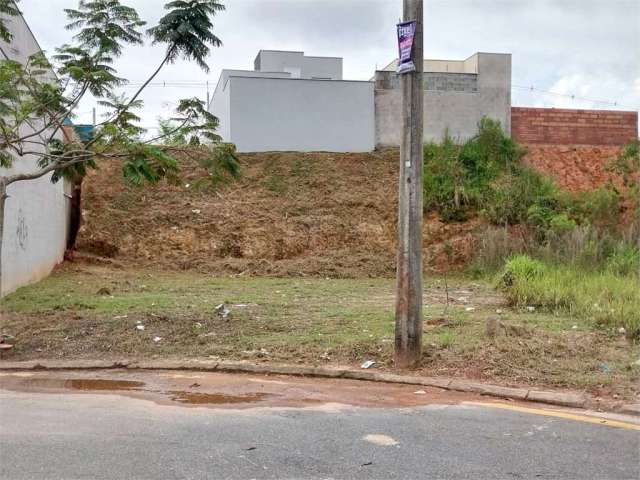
(60, 433)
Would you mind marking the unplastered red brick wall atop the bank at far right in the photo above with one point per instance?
(573, 127)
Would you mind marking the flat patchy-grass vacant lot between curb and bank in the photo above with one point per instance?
(88, 311)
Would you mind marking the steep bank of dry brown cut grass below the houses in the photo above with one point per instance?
(319, 214)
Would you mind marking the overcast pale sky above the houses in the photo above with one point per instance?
(586, 48)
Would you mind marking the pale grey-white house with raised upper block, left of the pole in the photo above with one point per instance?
(294, 102)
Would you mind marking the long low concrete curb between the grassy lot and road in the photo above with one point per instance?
(564, 399)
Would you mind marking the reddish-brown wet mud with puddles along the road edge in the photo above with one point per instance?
(220, 390)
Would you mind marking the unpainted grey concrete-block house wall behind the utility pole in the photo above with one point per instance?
(453, 102)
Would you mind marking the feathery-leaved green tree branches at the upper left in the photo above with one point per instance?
(39, 96)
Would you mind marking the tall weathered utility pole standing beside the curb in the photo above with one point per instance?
(408, 339)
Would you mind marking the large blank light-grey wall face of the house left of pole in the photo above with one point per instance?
(270, 114)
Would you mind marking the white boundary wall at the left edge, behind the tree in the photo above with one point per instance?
(35, 223)
